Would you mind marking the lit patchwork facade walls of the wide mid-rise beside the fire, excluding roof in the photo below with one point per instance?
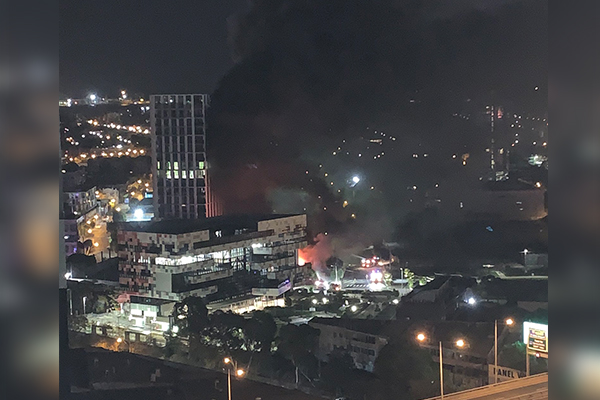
(165, 266)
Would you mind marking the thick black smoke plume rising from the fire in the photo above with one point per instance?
(310, 72)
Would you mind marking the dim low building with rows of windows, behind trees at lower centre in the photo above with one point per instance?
(360, 338)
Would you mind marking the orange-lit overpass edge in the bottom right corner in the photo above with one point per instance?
(530, 388)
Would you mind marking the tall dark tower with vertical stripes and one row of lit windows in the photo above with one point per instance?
(179, 155)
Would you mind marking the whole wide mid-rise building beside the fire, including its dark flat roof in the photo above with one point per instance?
(217, 258)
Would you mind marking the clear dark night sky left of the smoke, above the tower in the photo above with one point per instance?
(148, 47)
